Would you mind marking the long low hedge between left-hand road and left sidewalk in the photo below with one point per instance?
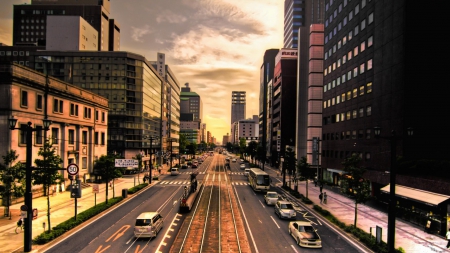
(71, 223)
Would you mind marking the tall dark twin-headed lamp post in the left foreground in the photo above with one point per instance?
(28, 190)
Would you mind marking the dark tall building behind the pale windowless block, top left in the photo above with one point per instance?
(30, 24)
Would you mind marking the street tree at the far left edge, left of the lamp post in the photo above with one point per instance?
(12, 175)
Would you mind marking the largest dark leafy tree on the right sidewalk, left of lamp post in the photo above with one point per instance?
(354, 184)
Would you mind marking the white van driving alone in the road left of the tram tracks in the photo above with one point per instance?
(148, 224)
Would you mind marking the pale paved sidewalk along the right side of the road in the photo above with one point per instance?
(411, 238)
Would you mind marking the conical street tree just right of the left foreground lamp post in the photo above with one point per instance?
(47, 172)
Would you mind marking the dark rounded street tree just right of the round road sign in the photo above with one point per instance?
(105, 167)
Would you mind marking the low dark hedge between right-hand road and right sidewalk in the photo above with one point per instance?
(363, 237)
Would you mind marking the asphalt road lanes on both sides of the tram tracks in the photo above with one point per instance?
(113, 231)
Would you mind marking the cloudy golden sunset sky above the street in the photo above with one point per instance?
(216, 46)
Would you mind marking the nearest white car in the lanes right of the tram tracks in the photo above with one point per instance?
(304, 234)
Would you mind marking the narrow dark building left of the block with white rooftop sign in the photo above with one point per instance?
(266, 75)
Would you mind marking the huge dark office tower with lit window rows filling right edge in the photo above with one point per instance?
(375, 75)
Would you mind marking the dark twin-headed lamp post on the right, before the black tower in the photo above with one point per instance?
(392, 175)
